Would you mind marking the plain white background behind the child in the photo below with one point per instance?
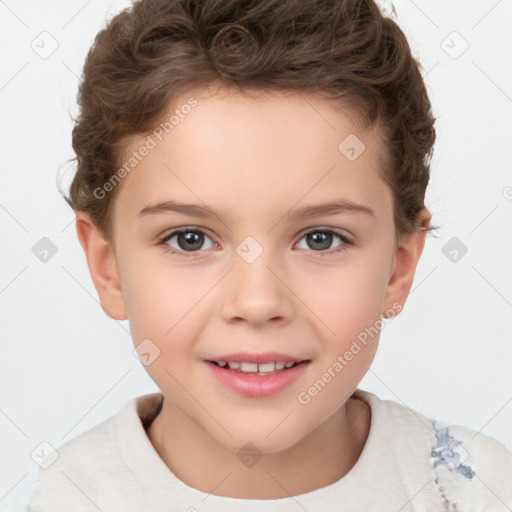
(65, 366)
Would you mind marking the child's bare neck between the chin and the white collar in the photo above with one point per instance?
(320, 459)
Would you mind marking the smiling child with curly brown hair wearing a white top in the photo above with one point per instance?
(288, 142)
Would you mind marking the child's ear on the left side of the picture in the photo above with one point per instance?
(102, 267)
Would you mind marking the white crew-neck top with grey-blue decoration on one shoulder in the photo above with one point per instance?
(408, 463)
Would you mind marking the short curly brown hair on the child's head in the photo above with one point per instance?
(347, 51)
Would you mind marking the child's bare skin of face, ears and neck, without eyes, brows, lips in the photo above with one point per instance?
(255, 158)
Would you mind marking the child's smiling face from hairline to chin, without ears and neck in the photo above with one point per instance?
(260, 270)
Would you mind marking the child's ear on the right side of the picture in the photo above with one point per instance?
(405, 260)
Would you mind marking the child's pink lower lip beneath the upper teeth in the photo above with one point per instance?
(256, 386)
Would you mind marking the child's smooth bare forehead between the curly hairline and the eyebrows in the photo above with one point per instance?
(265, 148)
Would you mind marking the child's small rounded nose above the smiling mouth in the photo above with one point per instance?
(257, 294)
